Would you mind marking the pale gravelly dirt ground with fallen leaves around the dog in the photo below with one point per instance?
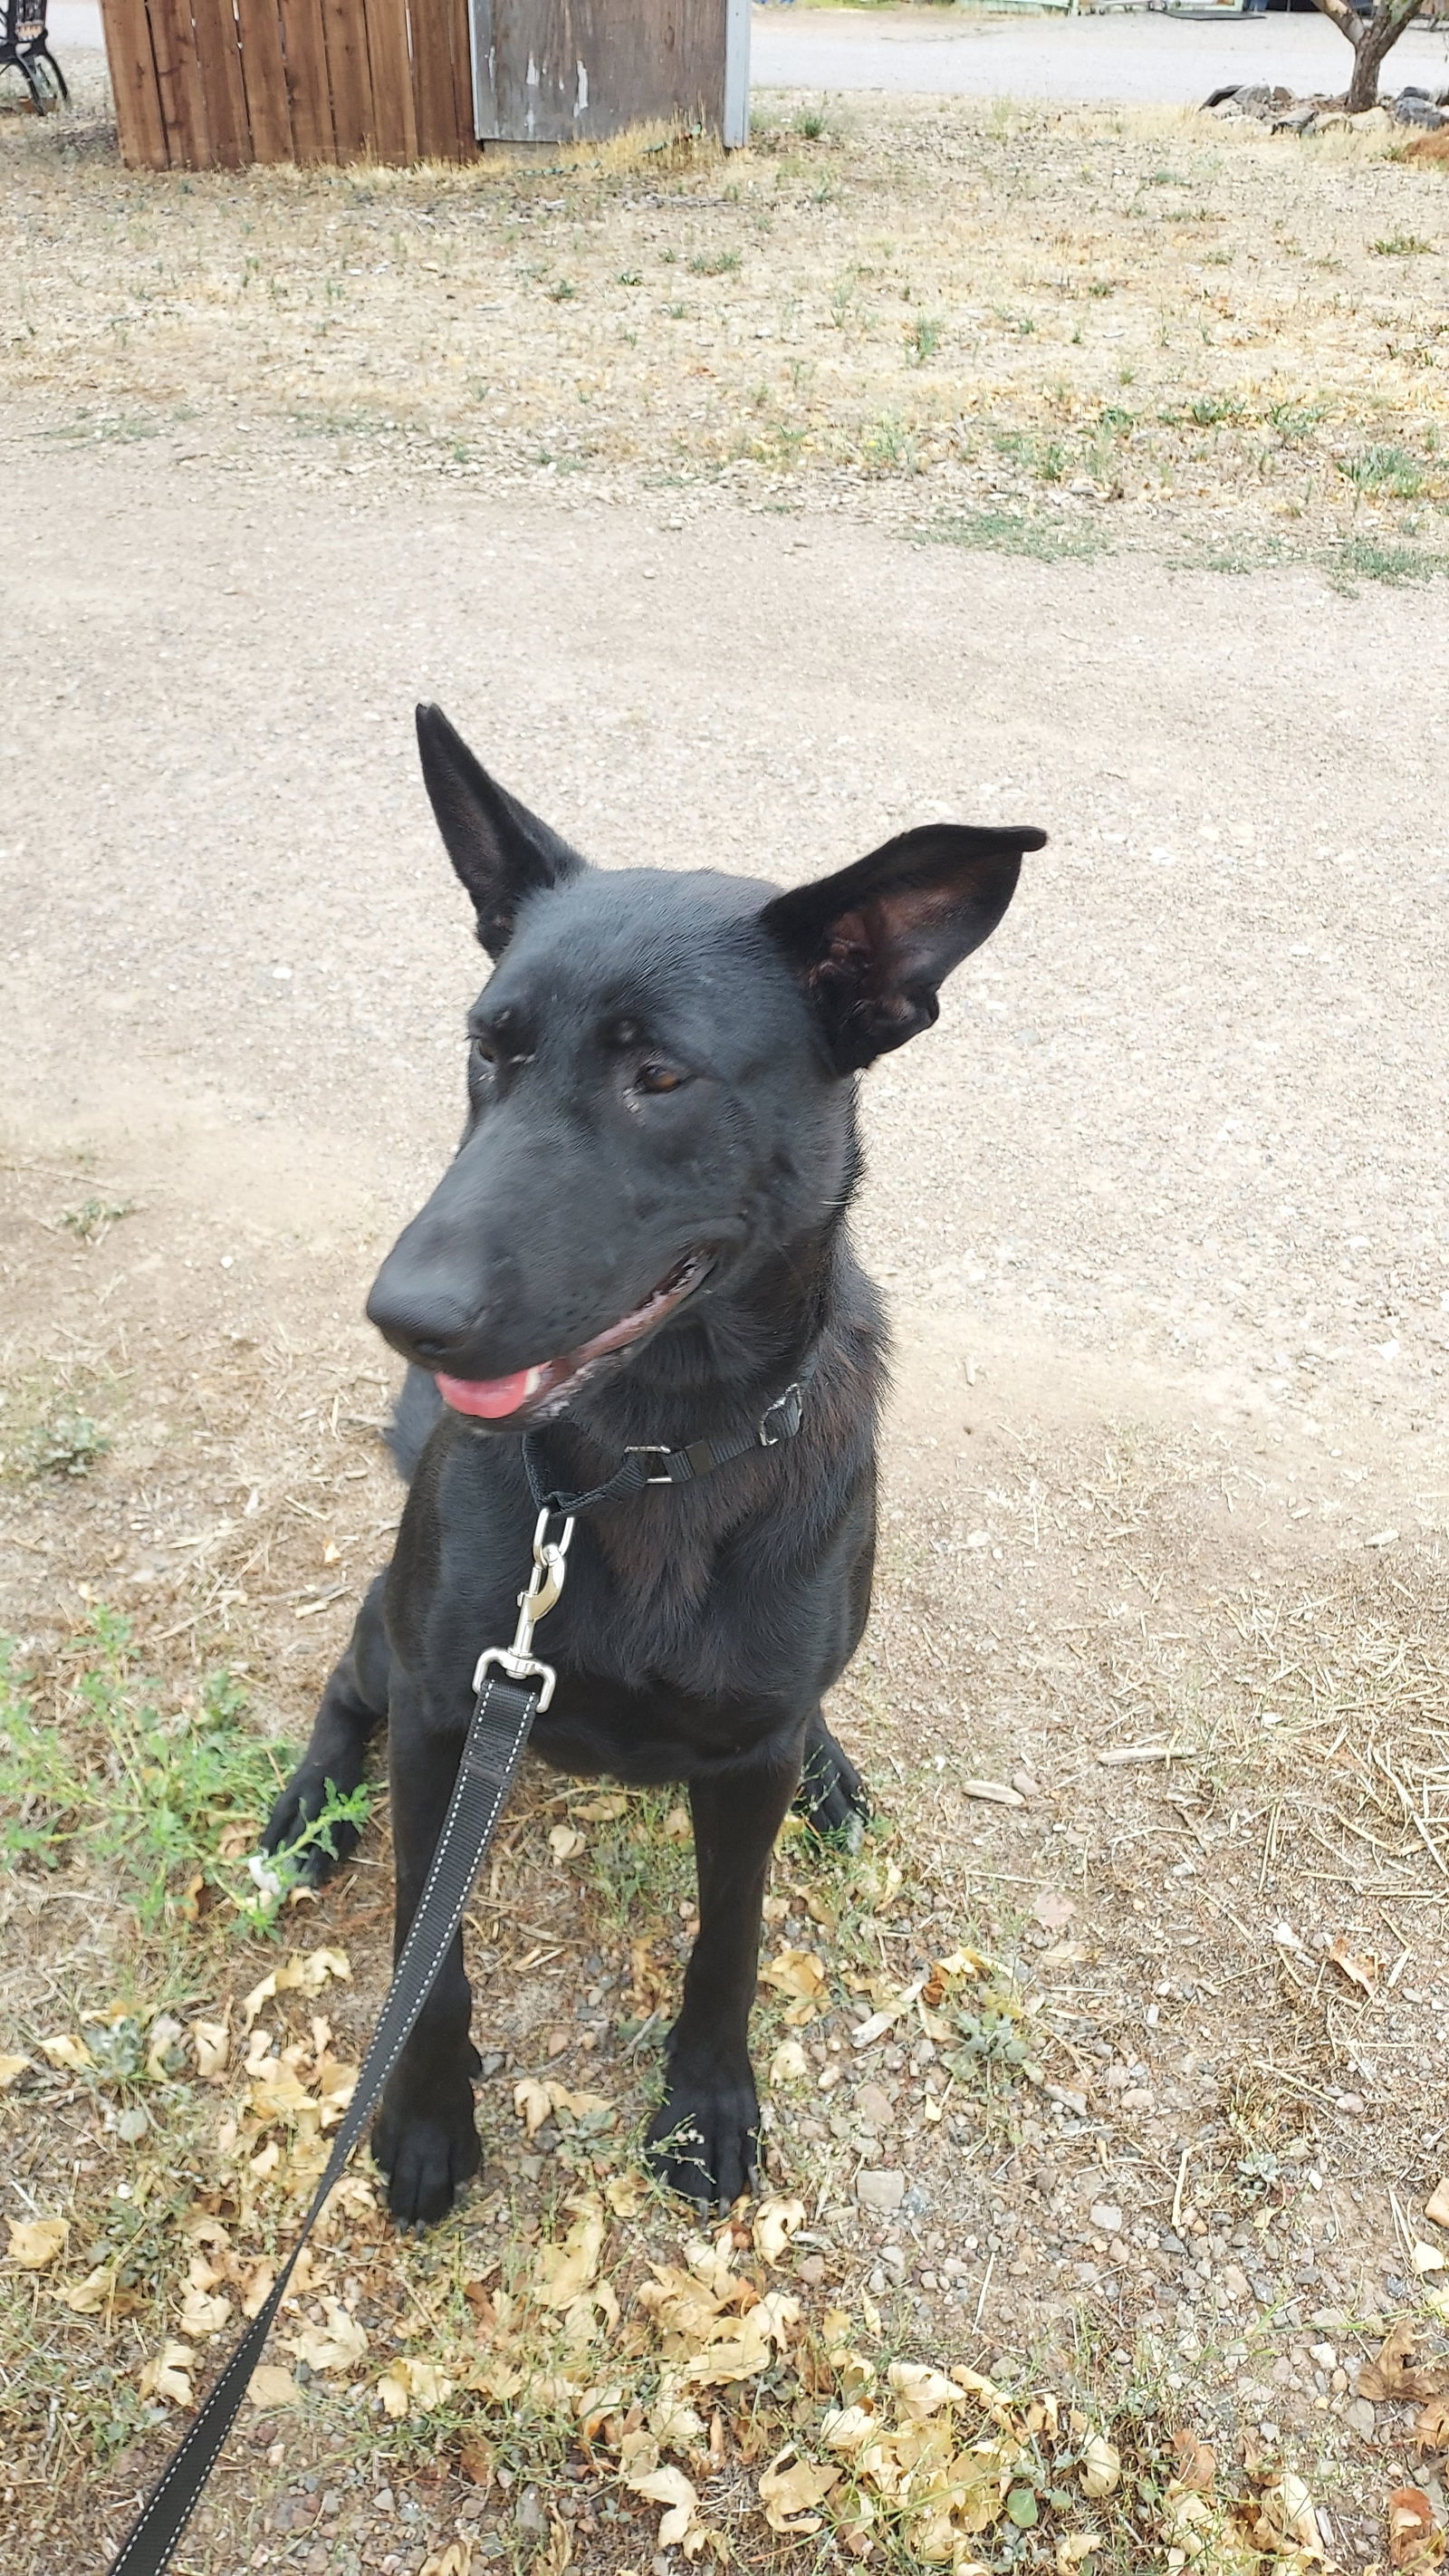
(1154, 1699)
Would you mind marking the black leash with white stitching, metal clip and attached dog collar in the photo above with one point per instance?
(511, 1686)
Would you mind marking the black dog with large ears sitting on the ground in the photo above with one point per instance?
(645, 1243)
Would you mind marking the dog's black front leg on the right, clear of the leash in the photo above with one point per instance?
(704, 2139)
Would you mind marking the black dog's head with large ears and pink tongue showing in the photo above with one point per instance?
(660, 1086)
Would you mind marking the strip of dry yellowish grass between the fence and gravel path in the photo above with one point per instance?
(1103, 326)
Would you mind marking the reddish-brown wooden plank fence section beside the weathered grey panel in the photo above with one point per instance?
(223, 84)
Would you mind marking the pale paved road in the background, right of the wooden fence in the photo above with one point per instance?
(1139, 61)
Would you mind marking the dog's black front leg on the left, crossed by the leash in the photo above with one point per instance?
(423, 2137)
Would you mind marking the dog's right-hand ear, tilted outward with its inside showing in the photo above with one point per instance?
(876, 942)
